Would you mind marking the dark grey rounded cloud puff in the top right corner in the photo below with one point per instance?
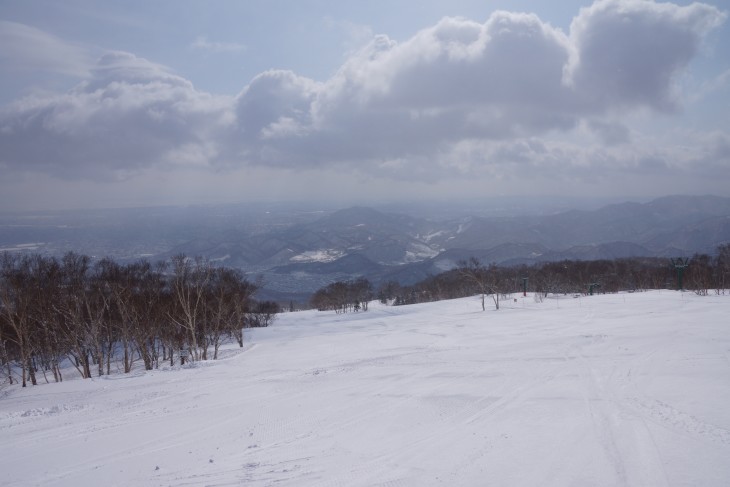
(628, 52)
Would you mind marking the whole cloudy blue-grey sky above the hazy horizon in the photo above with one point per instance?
(138, 103)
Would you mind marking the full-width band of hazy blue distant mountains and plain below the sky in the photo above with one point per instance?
(297, 252)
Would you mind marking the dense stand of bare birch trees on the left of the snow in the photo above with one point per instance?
(105, 314)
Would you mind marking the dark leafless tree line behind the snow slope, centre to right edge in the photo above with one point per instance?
(703, 273)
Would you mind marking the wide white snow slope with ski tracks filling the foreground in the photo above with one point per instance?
(622, 389)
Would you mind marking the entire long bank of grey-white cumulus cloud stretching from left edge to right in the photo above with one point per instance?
(458, 98)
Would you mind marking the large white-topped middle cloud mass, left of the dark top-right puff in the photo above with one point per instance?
(456, 80)
